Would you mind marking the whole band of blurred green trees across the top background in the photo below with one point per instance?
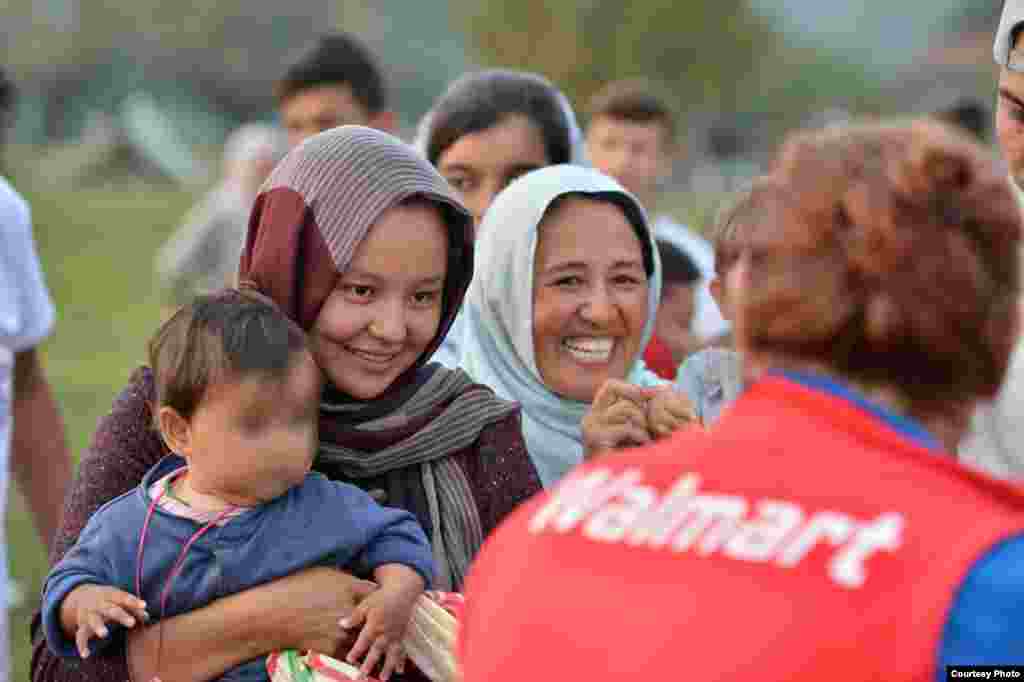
(211, 64)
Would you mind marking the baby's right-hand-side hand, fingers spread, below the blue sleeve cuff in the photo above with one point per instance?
(385, 617)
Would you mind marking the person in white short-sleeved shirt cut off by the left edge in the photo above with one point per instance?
(33, 447)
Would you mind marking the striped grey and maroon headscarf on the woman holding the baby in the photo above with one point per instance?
(313, 212)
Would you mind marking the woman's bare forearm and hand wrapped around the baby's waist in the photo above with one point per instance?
(301, 612)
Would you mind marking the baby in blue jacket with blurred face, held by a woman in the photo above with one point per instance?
(236, 505)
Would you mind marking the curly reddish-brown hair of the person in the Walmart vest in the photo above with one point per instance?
(890, 254)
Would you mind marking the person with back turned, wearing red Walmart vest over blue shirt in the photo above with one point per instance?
(821, 532)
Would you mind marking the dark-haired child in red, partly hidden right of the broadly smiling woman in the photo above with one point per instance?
(674, 342)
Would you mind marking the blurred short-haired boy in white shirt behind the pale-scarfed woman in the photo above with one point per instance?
(632, 138)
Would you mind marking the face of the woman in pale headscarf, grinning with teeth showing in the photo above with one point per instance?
(590, 297)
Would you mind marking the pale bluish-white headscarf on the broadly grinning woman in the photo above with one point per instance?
(498, 340)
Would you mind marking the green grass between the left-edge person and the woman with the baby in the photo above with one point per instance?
(98, 248)
